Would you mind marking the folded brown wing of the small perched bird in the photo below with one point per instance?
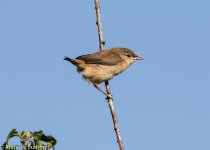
(101, 58)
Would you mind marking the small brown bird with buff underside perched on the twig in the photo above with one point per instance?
(104, 65)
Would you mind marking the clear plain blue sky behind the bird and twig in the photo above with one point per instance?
(162, 102)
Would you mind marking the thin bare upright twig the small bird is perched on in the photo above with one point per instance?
(110, 100)
